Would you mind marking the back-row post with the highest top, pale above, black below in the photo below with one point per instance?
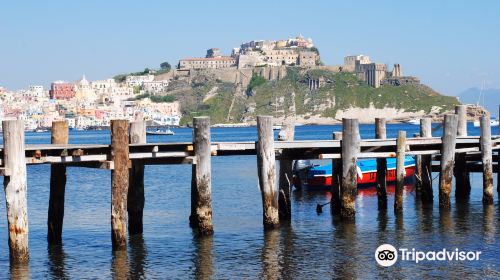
(462, 178)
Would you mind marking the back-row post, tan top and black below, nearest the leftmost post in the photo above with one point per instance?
(60, 135)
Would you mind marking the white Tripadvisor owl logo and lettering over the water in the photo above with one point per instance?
(386, 255)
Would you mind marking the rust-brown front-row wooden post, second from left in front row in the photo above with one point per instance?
(119, 183)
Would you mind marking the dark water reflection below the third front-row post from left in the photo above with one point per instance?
(203, 260)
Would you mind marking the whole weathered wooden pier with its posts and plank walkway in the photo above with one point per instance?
(128, 153)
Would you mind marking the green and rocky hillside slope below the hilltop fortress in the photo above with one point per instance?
(342, 95)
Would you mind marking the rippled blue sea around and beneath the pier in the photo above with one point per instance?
(311, 246)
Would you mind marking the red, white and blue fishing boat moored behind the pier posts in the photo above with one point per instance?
(320, 176)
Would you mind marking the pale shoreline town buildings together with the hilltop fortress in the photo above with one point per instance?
(92, 104)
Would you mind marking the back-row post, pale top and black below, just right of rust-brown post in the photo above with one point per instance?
(135, 197)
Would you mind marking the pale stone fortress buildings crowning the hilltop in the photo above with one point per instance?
(269, 59)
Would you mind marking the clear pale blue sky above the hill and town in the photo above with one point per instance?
(450, 45)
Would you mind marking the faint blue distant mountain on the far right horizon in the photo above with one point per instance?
(490, 101)
